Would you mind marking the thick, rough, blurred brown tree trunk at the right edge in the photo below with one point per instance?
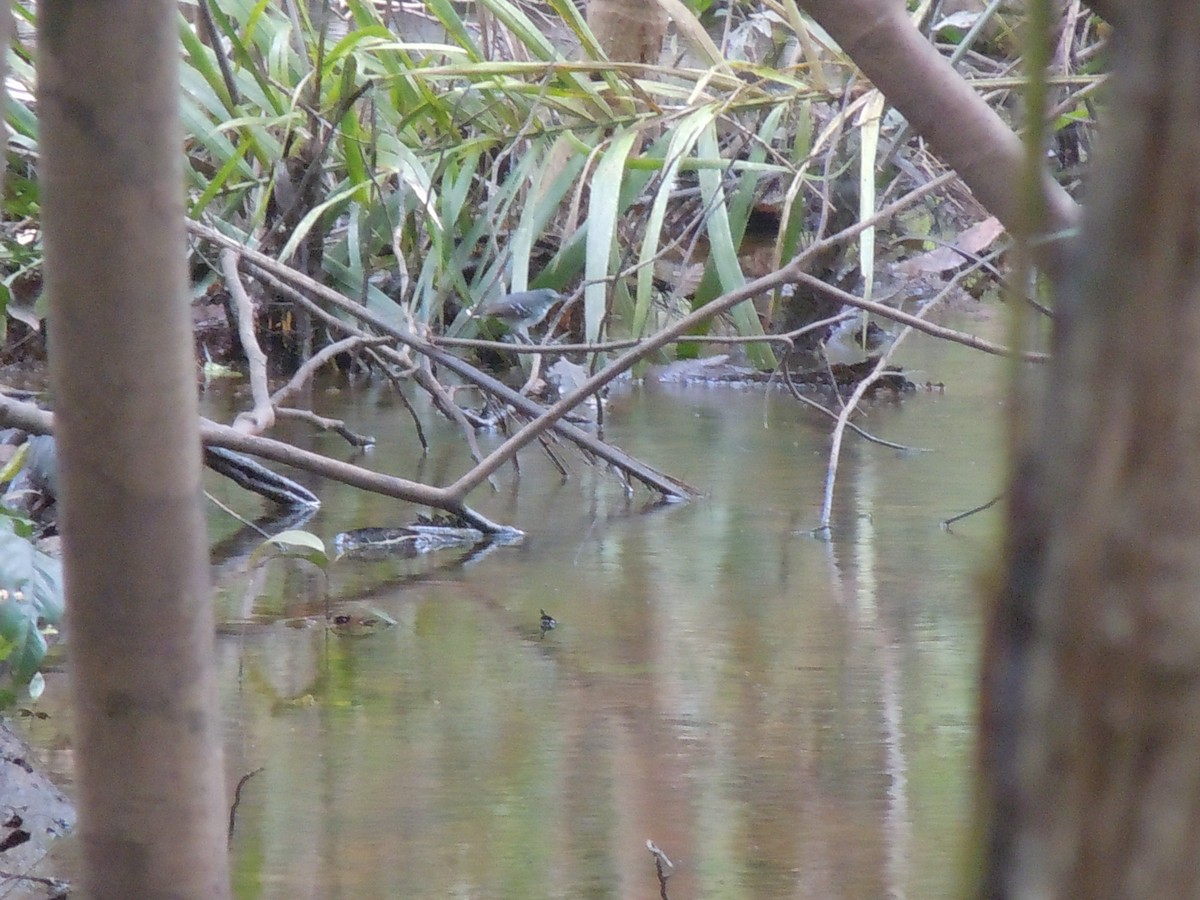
(1091, 707)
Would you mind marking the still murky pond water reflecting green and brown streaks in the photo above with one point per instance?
(783, 716)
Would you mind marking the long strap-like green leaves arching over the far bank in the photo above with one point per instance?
(469, 175)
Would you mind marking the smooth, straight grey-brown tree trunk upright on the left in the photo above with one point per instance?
(148, 734)
